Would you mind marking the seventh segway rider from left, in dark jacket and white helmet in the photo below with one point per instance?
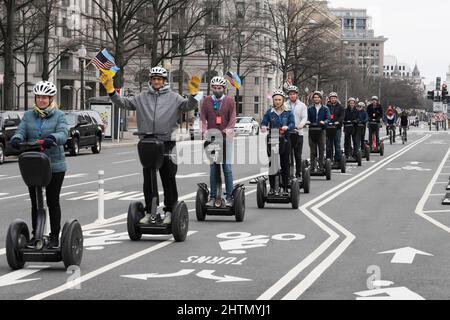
(337, 113)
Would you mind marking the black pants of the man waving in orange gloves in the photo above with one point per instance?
(167, 172)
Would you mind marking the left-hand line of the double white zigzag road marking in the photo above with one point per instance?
(294, 272)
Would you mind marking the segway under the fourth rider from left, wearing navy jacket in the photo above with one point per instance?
(262, 196)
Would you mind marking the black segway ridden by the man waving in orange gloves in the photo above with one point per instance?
(151, 154)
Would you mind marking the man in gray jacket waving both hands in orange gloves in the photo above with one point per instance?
(157, 111)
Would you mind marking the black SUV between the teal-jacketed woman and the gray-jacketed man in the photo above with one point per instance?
(84, 132)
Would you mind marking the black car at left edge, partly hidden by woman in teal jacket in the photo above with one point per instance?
(9, 121)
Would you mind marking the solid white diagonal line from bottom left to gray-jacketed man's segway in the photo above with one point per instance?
(104, 269)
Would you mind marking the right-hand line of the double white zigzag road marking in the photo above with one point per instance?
(299, 289)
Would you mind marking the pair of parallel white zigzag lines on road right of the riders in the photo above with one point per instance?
(328, 196)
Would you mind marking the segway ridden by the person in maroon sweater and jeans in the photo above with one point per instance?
(213, 148)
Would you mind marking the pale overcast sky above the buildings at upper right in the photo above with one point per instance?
(417, 30)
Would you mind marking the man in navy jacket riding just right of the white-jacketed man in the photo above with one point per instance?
(318, 114)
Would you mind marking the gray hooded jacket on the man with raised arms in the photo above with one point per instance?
(157, 111)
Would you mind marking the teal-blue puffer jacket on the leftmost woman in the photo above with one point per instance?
(33, 128)
